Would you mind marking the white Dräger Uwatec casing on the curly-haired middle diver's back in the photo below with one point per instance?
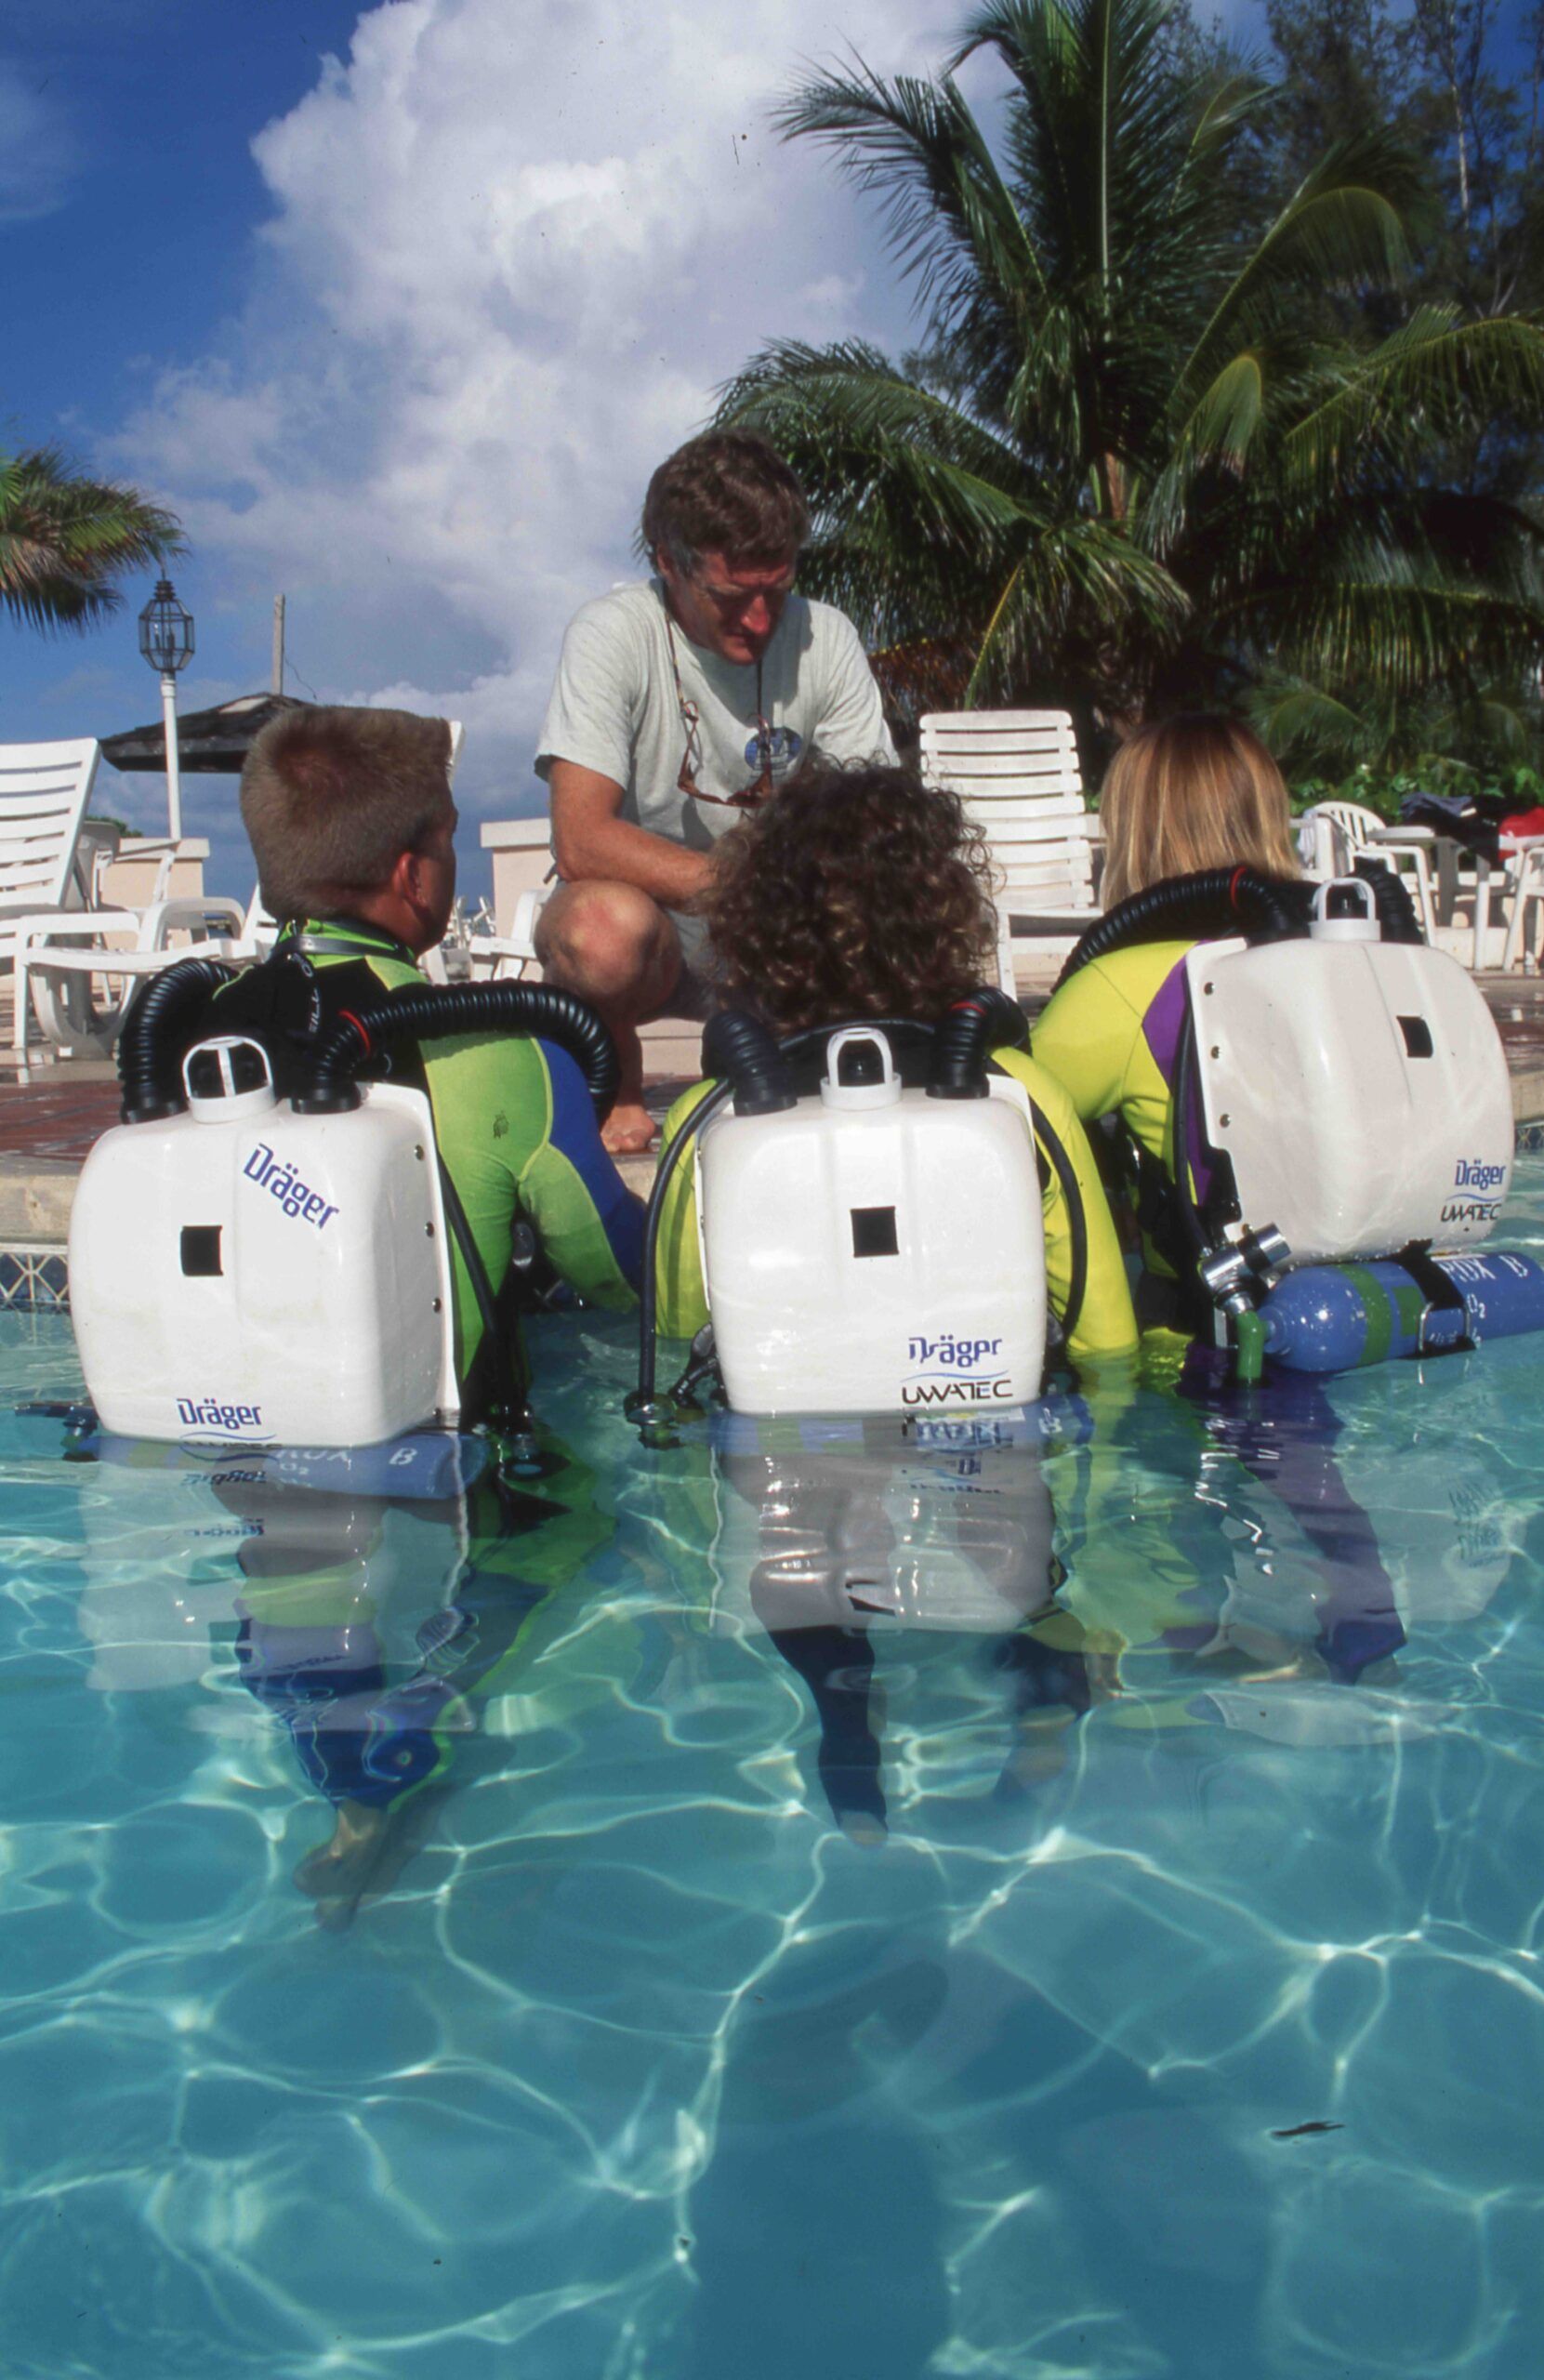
(803, 1322)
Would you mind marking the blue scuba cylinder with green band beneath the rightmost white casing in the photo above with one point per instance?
(1336, 1317)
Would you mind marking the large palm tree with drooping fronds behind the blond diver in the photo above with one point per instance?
(1134, 461)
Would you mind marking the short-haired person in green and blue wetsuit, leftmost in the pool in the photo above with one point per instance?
(353, 832)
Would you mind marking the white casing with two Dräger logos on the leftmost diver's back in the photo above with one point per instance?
(329, 1320)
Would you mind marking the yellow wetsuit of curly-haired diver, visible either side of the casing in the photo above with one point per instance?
(1105, 1324)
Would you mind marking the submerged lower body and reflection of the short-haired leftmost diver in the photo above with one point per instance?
(382, 1601)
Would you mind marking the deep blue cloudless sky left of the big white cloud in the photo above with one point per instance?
(130, 203)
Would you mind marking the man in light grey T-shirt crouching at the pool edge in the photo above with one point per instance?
(679, 706)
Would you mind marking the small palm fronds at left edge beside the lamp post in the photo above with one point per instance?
(65, 541)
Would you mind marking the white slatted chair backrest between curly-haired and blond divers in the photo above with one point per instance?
(1022, 787)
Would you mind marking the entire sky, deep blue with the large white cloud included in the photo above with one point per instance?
(398, 308)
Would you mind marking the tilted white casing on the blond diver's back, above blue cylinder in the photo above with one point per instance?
(1345, 1129)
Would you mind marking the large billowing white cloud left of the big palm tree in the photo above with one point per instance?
(513, 253)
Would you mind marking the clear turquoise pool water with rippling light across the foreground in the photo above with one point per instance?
(682, 2031)
